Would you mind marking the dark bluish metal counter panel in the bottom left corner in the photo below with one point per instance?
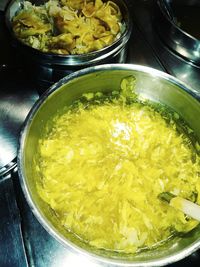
(12, 252)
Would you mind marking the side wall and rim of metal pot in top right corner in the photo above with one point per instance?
(177, 39)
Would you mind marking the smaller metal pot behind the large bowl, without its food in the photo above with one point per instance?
(49, 68)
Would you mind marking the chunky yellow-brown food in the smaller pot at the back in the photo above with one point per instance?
(69, 26)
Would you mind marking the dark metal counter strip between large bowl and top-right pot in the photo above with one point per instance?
(172, 63)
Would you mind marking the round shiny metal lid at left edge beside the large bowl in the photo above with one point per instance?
(17, 95)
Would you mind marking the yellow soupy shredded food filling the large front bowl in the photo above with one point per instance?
(103, 161)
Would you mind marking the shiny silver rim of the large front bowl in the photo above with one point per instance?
(42, 219)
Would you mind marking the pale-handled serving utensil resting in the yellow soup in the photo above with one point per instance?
(189, 208)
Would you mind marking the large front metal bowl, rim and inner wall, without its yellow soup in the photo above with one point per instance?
(150, 84)
